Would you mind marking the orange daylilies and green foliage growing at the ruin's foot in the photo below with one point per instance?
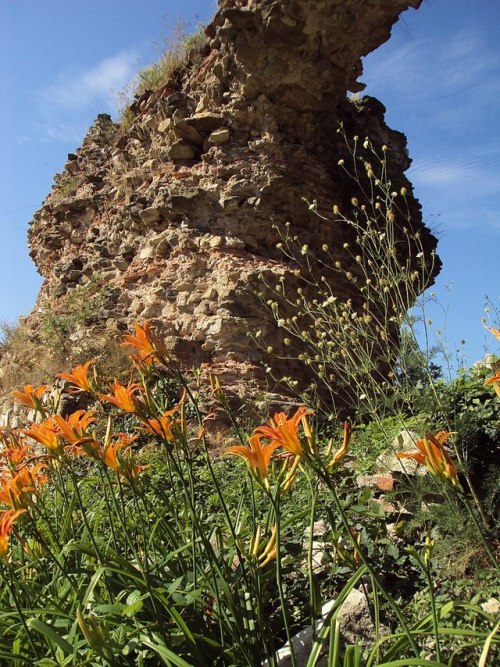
(124, 542)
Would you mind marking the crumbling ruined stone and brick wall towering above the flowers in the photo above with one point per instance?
(177, 214)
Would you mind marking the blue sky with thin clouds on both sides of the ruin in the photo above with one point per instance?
(63, 61)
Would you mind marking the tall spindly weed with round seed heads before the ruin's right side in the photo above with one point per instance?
(360, 351)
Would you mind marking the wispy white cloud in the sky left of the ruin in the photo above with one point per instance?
(90, 87)
